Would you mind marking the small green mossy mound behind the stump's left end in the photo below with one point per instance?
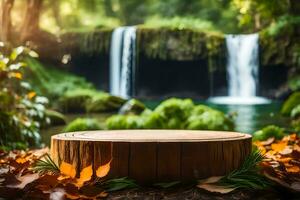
(83, 124)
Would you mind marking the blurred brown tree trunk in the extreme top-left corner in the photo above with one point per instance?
(5, 20)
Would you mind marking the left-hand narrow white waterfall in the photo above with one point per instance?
(122, 61)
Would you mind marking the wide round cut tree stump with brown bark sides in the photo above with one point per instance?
(149, 156)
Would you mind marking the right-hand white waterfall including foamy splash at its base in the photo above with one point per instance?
(242, 71)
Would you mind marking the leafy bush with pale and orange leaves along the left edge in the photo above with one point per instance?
(21, 111)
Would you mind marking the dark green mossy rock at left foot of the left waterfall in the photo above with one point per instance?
(104, 102)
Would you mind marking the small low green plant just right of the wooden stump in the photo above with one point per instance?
(267, 132)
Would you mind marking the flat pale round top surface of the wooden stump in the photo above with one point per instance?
(152, 136)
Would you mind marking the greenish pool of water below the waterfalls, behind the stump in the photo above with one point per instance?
(248, 118)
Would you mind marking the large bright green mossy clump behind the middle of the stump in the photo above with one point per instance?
(173, 114)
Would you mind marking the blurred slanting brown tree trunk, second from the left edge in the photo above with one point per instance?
(31, 20)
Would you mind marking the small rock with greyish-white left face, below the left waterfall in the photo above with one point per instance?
(132, 106)
